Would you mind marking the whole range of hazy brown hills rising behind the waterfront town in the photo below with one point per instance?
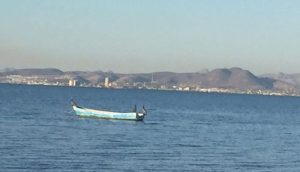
(233, 78)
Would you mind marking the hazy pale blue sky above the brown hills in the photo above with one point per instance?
(151, 35)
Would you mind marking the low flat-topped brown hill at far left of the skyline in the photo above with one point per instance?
(33, 72)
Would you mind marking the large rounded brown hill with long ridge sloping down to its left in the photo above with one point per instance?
(218, 78)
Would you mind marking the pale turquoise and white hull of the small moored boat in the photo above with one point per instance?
(85, 112)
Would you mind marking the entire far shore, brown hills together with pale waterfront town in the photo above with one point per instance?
(233, 80)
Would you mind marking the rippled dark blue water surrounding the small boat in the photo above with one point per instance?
(184, 131)
